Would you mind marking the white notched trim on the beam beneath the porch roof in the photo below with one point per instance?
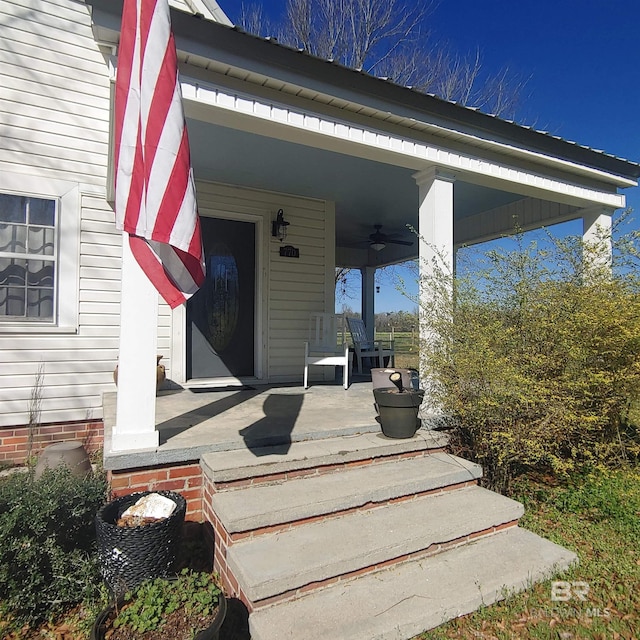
(307, 127)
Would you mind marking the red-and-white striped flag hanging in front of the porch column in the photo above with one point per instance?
(155, 192)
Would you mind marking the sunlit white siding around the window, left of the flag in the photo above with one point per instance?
(54, 115)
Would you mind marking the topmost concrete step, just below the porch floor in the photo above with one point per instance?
(243, 464)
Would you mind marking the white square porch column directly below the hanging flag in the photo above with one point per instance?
(135, 426)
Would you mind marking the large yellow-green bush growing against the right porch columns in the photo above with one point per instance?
(536, 361)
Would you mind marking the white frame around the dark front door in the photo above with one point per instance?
(179, 314)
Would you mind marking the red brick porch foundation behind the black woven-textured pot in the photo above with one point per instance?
(185, 479)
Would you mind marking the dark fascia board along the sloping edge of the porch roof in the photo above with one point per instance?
(257, 55)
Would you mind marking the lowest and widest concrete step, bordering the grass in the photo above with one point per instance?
(404, 600)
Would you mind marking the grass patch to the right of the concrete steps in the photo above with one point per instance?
(597, 515)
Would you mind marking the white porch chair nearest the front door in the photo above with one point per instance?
(327, 345)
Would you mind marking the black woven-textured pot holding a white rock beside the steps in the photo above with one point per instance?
(130, 555)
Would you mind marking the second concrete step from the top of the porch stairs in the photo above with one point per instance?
(256, 506)
